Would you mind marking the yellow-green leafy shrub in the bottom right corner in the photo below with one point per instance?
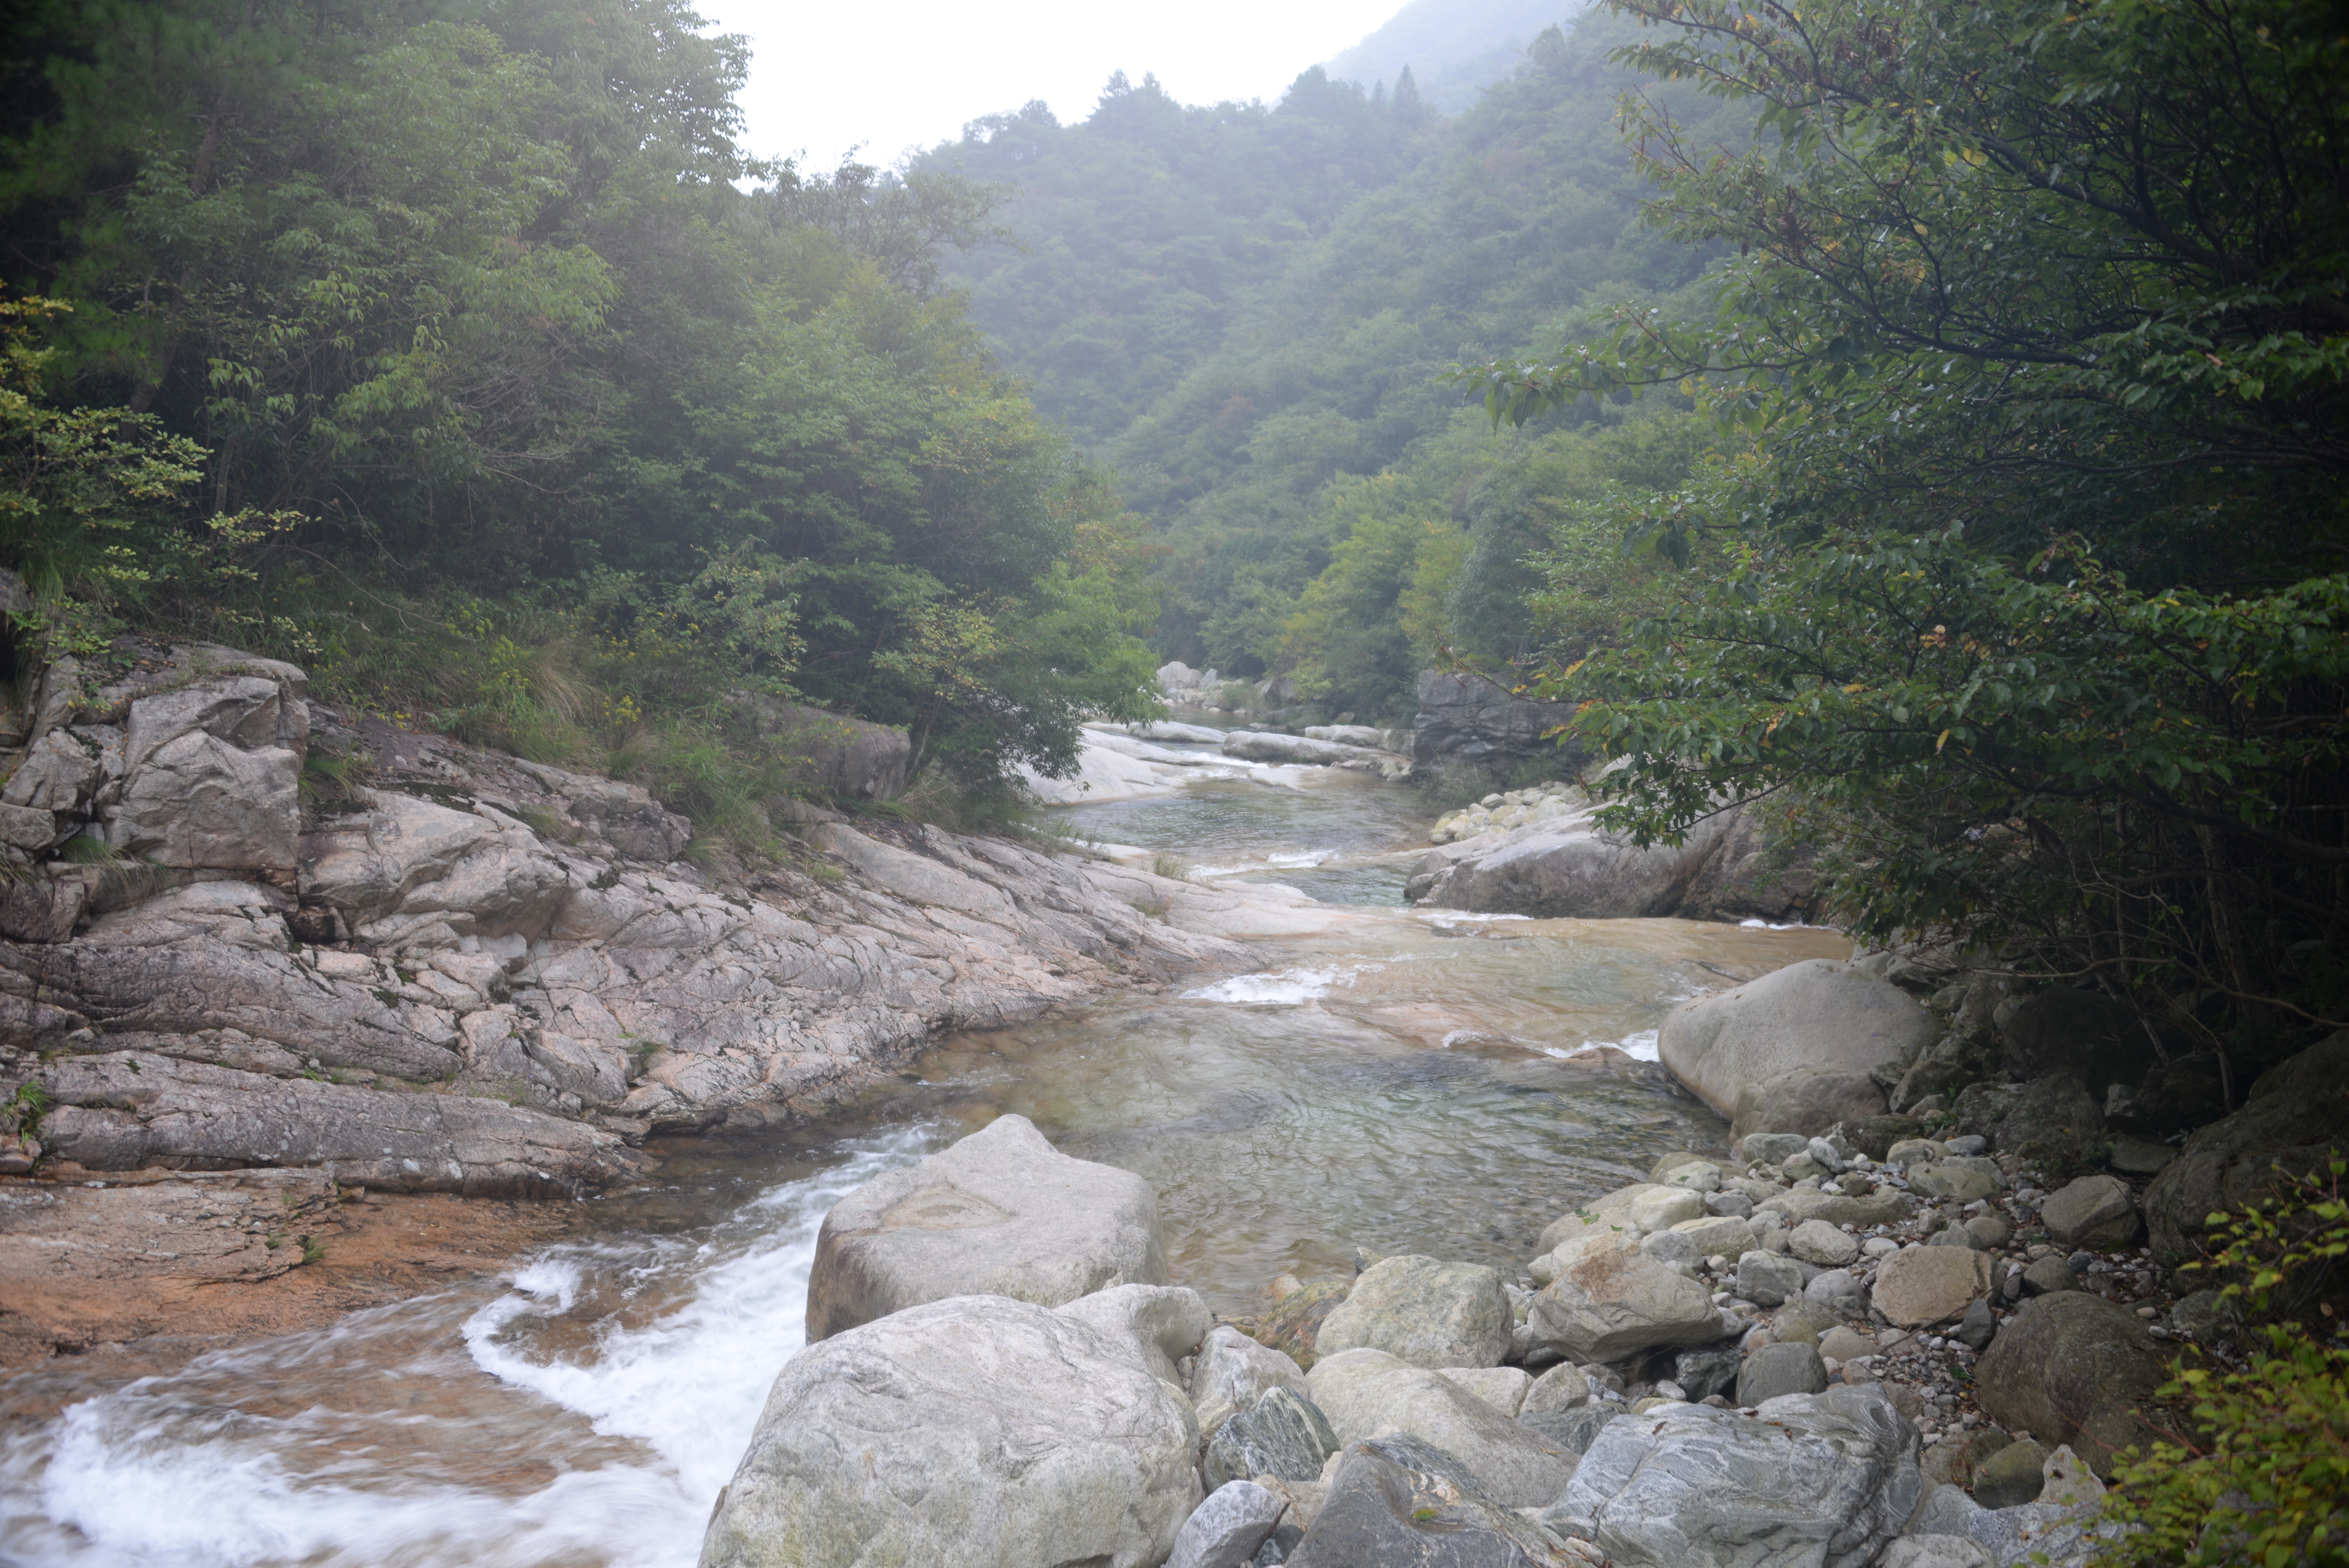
(2266, 1475)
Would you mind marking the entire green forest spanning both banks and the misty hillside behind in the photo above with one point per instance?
(1972, 405)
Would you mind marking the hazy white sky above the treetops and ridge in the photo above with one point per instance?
(913, 72)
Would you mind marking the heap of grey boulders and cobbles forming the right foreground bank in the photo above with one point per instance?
(1909, 1341)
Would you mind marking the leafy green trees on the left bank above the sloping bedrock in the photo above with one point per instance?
(462, 353)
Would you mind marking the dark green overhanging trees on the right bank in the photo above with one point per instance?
(2017, 567)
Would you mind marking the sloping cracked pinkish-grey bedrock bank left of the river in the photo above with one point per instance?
(429, 968)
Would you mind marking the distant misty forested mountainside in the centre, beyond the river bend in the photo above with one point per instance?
(1248, 313)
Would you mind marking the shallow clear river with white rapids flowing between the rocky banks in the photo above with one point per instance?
(1411, 1083)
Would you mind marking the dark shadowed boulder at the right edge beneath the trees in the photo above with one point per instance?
(2294, 1116)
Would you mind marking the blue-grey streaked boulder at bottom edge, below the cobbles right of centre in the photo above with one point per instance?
(1810, 1482)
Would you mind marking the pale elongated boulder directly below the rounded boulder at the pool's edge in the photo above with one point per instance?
(1368, 1393)
